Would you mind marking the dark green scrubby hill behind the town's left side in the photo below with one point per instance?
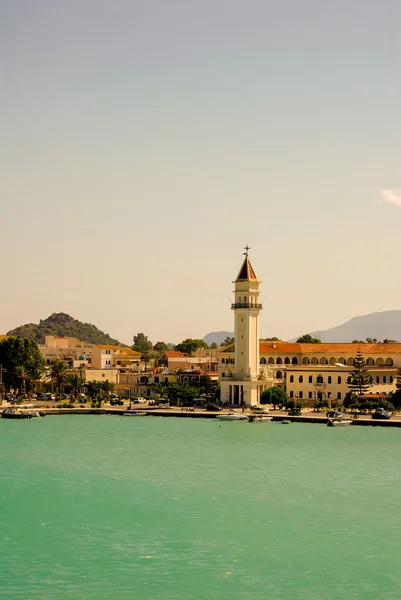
(63, 325)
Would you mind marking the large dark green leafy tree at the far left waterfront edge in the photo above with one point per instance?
(20, 352)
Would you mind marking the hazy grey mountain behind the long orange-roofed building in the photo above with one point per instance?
(381, 325)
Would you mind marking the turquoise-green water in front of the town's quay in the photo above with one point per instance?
(110, 507)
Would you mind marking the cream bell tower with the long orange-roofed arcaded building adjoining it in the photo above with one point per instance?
(309, 372)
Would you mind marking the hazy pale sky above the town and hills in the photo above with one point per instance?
(144, 143)
